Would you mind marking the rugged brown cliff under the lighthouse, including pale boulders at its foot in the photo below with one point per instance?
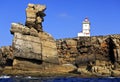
(97, 54)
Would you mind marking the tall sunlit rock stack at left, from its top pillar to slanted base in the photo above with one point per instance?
(30, 41)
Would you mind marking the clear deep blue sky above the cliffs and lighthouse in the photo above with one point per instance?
(63, 17)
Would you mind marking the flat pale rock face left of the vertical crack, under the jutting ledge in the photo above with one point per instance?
(26, 46)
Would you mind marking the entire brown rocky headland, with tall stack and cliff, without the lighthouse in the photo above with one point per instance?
(34, 52)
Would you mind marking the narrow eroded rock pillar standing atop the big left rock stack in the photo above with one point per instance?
(34, 16)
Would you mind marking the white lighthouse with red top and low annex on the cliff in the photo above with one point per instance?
(85, 29)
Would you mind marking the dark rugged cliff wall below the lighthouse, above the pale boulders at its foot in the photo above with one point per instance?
(85, 49)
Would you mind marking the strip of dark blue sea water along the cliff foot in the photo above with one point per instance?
(60, 79)
